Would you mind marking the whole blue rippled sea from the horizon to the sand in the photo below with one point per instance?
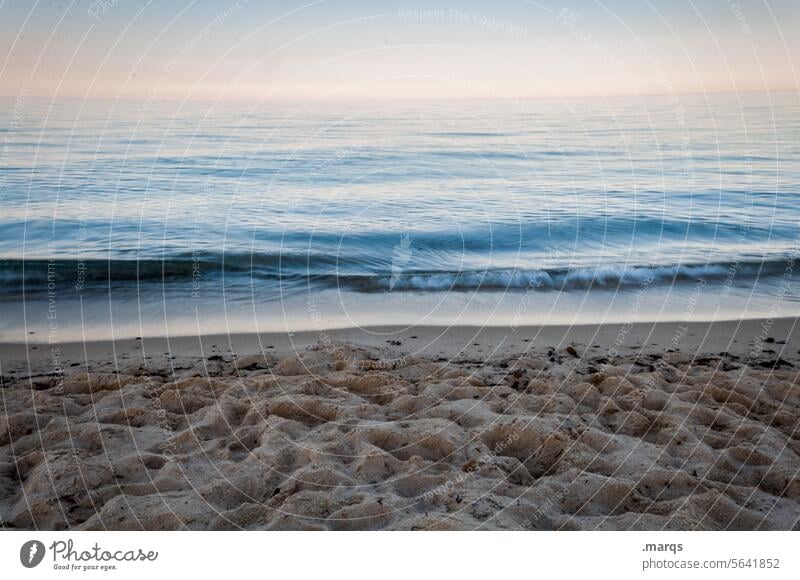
(124, 218)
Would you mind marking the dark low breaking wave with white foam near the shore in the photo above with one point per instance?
(321, 270)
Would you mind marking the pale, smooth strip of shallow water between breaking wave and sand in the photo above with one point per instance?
(335, 312)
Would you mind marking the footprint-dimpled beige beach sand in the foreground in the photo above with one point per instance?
(618, 426)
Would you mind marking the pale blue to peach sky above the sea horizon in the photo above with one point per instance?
(405, 49)
